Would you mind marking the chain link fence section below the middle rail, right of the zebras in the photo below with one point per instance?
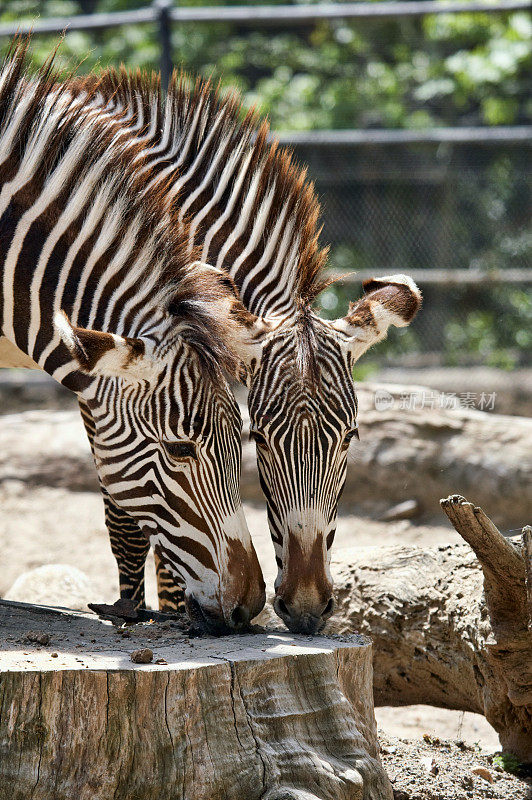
(457, 216)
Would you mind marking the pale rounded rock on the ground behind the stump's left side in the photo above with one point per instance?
(54, 585)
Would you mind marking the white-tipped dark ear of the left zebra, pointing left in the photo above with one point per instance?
(105, 354)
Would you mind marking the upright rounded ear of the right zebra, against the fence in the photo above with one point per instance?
(392, 300)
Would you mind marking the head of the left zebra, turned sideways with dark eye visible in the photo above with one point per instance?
(167, 448)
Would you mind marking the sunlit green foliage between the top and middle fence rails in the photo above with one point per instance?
(409, 72)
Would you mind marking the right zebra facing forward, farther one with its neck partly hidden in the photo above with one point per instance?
(251, 212)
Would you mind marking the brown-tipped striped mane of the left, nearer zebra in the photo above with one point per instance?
(160, 260)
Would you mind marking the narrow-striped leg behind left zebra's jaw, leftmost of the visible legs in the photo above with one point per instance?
(129, 545)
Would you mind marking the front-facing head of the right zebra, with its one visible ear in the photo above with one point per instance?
(303, 414)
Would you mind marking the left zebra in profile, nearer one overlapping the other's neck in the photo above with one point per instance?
(99, 288)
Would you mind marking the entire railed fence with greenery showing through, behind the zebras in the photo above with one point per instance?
(399, 191)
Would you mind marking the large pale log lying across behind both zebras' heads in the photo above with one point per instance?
(410, 451)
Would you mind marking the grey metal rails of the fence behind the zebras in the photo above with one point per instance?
(164, 15)
